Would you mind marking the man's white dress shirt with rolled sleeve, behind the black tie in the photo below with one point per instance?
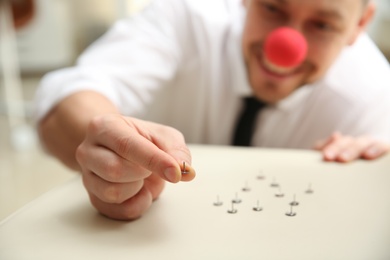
(179, 63)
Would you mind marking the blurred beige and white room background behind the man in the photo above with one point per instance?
(56, 33)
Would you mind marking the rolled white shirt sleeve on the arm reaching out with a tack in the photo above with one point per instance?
(135, 58)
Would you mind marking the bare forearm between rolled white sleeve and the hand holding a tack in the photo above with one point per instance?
(63, 129)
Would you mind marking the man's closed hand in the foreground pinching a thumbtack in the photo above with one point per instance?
(125, 162)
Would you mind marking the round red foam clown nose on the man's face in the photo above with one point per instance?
(285, 47)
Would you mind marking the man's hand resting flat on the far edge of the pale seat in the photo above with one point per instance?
(343, 148)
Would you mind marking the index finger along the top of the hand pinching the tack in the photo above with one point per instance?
(132, 140)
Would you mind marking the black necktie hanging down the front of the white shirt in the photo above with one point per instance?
(245, 123)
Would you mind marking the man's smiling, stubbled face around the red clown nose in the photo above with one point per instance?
(328, 26)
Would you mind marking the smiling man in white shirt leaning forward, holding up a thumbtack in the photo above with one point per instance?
(186, 65)
